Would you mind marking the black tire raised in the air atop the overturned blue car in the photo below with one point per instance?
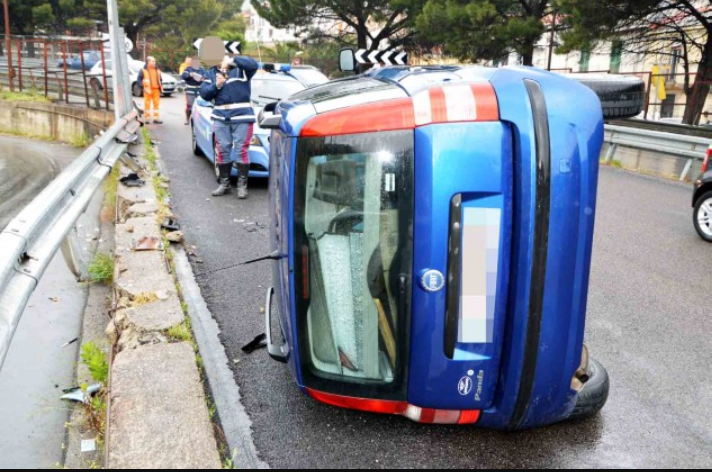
(622, 97)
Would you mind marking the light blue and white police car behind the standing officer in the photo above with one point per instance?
(273, 83)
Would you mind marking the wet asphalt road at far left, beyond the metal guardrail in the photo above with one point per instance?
(32, 418)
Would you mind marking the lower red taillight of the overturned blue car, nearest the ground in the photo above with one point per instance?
(412, 412)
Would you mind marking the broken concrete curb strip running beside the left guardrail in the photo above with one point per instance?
(159, 416)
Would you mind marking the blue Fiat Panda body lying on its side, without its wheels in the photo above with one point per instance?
(480, 294)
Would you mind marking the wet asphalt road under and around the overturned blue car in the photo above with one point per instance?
(648, 323)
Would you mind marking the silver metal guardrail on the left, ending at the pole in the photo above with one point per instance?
(31, 240)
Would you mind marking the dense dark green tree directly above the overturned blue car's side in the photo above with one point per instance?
(484, 29)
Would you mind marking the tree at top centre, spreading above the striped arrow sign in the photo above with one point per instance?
(374, 23)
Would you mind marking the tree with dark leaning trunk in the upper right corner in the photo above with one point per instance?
(650, 27)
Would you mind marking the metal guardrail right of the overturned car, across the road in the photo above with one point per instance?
(688, 147)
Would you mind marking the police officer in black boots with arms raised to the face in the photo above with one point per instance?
(229, 87)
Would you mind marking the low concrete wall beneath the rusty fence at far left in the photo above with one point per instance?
(47, 120)
